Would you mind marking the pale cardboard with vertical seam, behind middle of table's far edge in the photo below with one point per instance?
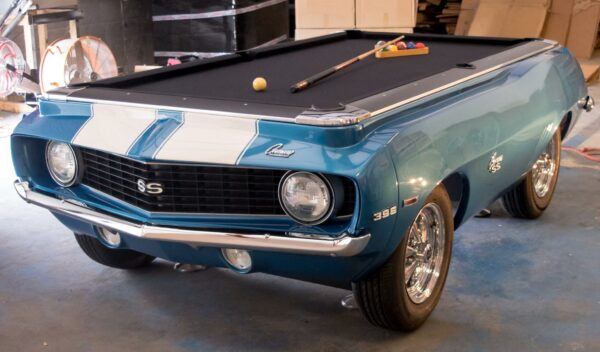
(320, 17)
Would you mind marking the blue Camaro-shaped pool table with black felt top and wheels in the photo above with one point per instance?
(357, 182)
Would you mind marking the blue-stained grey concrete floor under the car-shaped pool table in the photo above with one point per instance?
(513, 285)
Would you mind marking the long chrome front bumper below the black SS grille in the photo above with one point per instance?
(343, 246)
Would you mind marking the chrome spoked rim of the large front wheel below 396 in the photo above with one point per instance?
(424, 253)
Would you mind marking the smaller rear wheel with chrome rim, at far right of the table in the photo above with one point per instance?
(533, 194)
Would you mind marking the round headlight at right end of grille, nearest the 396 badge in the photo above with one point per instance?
(306, 197)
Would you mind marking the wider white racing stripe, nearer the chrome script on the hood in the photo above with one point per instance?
(206, 138)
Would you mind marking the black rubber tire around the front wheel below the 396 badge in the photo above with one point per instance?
(383, 296)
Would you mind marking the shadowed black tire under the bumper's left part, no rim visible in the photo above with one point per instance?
(115, 258)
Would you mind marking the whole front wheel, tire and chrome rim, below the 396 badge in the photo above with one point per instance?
(404, 291)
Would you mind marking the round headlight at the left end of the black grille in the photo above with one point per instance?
(62, 163)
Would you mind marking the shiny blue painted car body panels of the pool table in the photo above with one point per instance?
(394, 159)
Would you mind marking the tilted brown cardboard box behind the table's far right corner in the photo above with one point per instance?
(509, 18)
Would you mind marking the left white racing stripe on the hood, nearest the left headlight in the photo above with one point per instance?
(114, 128)
